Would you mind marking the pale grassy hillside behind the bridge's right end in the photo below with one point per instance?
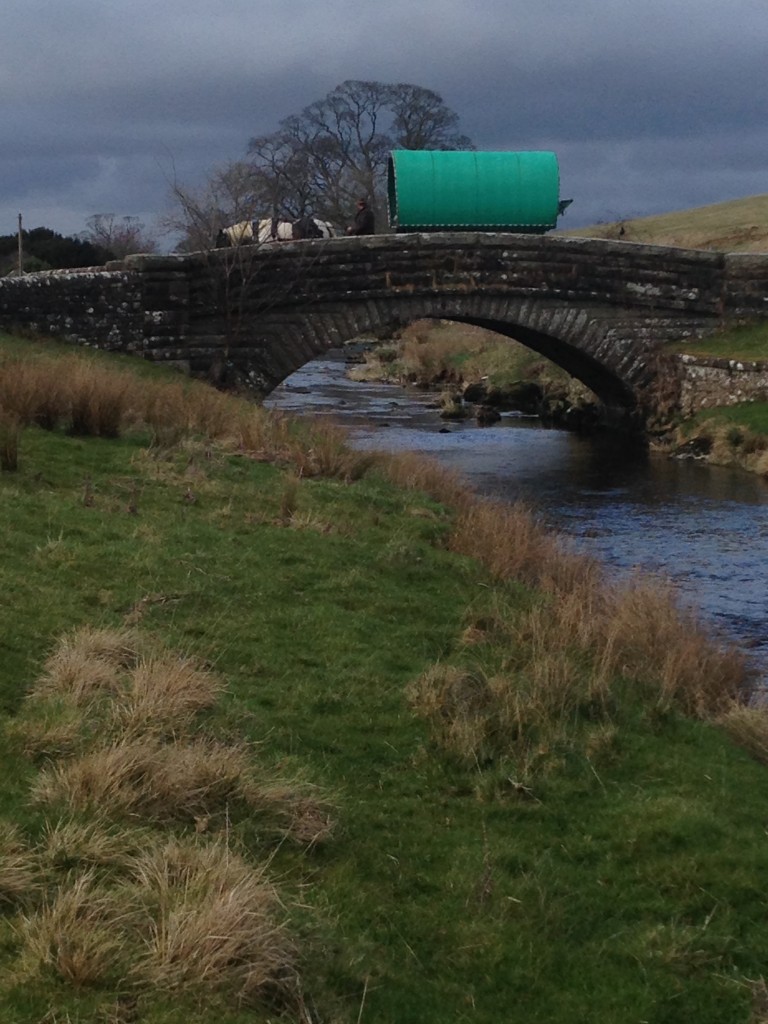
(740, 226)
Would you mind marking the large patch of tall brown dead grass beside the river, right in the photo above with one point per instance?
(574, 656)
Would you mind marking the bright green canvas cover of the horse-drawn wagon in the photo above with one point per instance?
(439, 190)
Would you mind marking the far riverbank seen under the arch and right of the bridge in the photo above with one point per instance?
(477, 374)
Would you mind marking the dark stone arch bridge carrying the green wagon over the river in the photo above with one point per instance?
(603, 311)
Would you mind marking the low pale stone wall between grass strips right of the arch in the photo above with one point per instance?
(709, 382)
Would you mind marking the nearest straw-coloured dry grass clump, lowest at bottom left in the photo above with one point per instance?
(174, 914)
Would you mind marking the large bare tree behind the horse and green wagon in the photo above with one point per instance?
(319, 162)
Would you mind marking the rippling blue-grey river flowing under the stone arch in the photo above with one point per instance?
(703, 528)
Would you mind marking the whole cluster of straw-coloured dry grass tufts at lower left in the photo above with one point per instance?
(122, 900)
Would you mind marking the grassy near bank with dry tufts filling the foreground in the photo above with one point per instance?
(295, 732)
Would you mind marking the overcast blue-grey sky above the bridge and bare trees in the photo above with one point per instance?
(652, 106)
